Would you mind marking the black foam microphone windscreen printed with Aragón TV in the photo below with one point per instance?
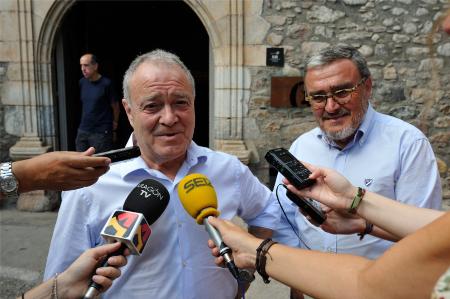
(149, 198)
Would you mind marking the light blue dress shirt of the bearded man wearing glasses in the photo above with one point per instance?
(387, 156)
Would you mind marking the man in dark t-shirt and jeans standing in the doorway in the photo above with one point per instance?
(100, 113)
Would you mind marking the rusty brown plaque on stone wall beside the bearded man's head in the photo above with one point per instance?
(287, 92)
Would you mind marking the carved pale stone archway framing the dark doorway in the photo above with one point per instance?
(229, 78)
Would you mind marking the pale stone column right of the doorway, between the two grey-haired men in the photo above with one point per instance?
(230, 90)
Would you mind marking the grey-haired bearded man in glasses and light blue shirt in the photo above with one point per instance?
(377, 152)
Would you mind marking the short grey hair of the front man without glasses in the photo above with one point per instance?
(155, 56)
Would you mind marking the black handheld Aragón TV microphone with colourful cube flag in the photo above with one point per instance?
(131, 226)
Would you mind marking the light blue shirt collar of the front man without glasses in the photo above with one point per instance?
(195, 155)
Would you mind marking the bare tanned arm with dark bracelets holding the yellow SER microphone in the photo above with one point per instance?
(421, 257)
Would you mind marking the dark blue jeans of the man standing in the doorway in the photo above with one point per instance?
(101, 141)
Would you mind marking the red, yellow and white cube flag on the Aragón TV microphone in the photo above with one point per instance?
(129, 228)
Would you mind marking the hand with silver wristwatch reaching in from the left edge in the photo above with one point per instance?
(51, 171)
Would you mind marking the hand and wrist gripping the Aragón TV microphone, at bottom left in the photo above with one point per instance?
(74, 282)
